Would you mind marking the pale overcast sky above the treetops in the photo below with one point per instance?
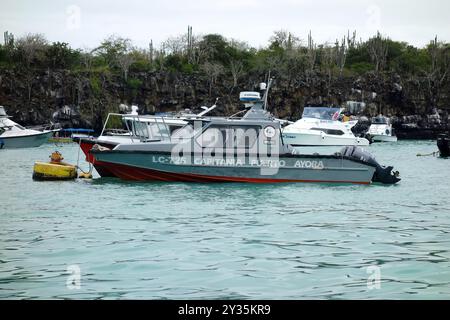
(84, 23)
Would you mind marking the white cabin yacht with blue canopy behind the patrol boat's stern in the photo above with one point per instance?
(320, 126)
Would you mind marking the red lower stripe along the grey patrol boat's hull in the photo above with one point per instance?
(140, 174)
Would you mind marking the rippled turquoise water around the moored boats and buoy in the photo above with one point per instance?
(194, 241)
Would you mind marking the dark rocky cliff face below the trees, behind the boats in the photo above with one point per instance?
(78, 99)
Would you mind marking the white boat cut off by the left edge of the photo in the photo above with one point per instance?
(13, 135)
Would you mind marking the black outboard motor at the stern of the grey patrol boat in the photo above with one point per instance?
(382, 174)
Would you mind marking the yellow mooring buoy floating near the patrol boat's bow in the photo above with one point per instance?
(55, 169)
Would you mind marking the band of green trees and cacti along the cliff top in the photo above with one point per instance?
(284, 52)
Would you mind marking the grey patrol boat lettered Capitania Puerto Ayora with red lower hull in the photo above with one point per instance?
(249, 149)
